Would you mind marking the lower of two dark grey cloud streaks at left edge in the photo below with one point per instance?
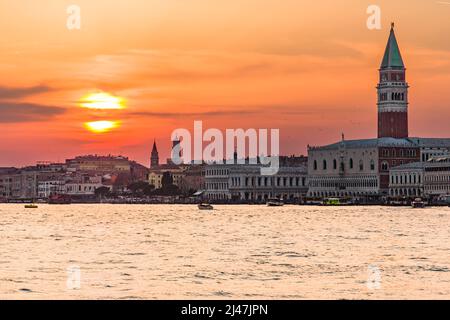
(27, 112)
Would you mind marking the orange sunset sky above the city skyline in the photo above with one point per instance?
(308, 68)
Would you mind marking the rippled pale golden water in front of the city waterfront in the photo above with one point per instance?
(233, 252)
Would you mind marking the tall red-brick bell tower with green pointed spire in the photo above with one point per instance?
(392, 93)
